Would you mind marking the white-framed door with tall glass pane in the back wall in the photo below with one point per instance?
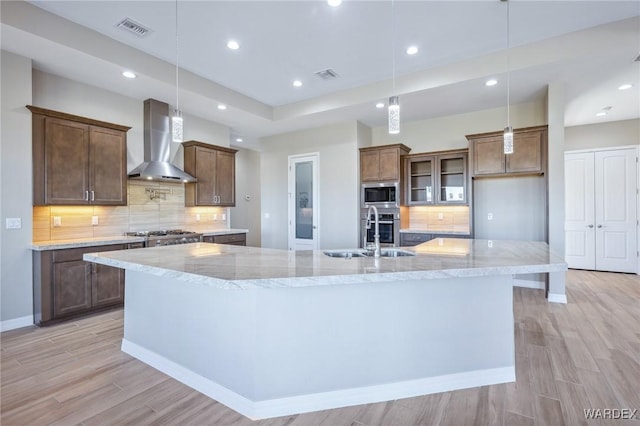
(303, 202)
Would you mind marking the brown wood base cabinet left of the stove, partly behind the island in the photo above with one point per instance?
(66, 286)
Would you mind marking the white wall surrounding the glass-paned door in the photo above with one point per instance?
(338, 186)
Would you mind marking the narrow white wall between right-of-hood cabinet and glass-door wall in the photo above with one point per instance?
(246, 214)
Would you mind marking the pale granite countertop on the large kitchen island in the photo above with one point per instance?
(233, 267)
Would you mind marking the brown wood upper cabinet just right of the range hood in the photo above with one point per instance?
(215, 168)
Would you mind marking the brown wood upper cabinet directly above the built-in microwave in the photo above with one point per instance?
(382, 163)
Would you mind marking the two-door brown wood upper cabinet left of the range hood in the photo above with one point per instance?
(77, 160)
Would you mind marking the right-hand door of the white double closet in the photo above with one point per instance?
(615, 188)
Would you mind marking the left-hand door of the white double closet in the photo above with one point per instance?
(580, 233)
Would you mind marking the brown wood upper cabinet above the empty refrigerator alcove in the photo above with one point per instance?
(529, 153)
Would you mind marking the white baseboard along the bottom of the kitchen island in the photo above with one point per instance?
(256, 410)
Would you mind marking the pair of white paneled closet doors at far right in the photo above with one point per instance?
(600, 210)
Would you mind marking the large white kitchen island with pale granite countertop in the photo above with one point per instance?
(271, 332)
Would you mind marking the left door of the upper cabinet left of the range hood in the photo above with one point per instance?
(66, 162)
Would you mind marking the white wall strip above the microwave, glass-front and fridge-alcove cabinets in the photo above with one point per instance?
(449, 132)
